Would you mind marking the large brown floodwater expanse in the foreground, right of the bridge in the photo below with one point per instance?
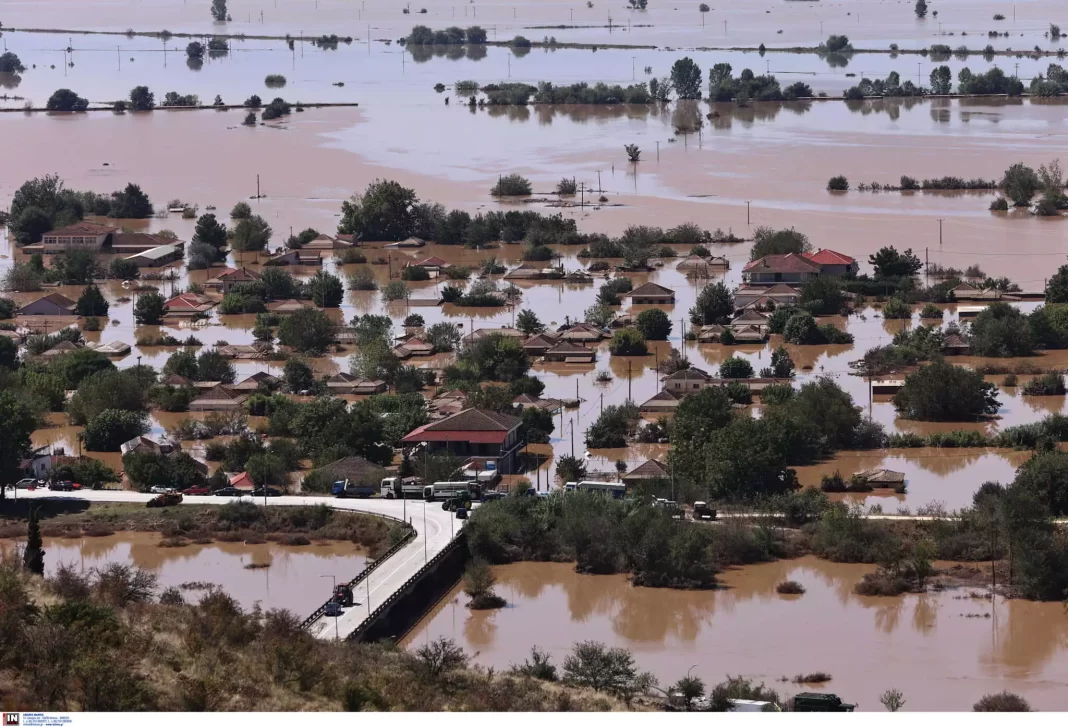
(945, 651)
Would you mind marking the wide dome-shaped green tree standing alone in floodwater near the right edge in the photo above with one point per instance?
(941, 392)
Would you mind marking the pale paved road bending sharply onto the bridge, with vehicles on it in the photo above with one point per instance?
(434, 530)
